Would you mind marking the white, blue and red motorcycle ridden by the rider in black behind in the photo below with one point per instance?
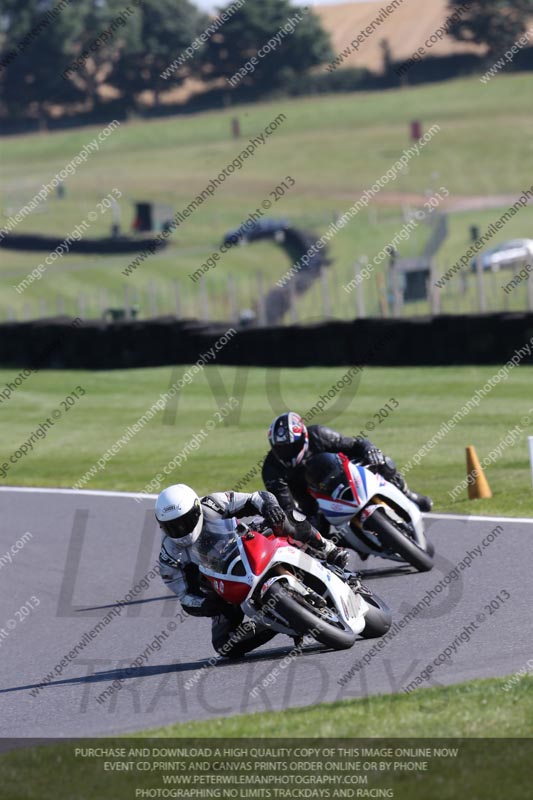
(371, 515)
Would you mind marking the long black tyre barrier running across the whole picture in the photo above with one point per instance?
(98, 344)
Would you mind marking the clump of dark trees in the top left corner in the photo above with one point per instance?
(89, 44)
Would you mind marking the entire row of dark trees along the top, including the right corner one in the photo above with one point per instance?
(60, 56)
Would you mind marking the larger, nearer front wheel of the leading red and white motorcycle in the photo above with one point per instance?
(306, 620)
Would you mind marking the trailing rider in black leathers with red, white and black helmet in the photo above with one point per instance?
(291, 443)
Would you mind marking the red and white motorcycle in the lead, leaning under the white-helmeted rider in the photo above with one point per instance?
(283, 587)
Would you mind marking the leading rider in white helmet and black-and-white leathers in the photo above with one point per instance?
(182, 516)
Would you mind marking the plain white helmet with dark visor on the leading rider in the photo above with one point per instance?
(179, 513)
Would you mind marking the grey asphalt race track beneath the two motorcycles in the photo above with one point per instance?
(89, 550)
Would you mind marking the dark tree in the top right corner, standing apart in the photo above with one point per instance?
(495, 23)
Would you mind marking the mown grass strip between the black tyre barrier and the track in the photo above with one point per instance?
(115, 400)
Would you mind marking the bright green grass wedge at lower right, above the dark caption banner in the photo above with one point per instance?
(475, 709)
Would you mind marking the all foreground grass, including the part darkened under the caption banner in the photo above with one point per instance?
(460, 713)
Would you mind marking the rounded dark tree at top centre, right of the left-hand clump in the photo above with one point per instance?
(266, 43)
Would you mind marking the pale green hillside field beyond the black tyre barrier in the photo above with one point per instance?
(333, 146)
